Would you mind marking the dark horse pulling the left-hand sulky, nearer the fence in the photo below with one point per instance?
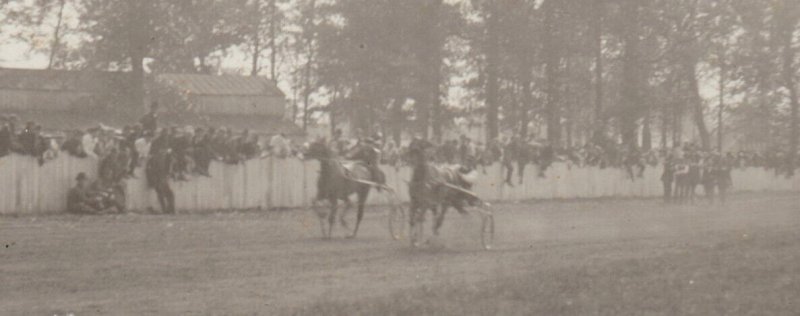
(337, 182)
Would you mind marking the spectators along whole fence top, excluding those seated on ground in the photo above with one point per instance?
(120, 152)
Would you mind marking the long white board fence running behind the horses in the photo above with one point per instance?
(27, 188)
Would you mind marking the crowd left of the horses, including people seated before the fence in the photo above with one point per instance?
(165, 153)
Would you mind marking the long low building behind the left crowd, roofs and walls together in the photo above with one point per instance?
(63, 100)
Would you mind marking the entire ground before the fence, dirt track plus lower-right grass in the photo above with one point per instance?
(603, 257)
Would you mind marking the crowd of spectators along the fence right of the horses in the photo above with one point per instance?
(515, 153)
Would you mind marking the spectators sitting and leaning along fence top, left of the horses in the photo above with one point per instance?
(121, 151)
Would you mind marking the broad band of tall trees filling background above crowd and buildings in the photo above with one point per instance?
(562, 70)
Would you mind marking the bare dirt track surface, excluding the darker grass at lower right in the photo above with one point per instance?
(267, 263)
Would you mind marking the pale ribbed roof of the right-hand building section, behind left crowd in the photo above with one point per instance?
(221, 85)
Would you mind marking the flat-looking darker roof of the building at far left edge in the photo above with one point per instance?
(62, 80)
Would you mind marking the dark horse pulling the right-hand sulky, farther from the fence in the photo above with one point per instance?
(433, 188)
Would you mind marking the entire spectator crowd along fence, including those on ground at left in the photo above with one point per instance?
(177, 154)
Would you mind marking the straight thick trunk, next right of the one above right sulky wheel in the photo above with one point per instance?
(552, 65)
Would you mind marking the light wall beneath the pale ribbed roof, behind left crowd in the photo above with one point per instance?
(240, 105)
